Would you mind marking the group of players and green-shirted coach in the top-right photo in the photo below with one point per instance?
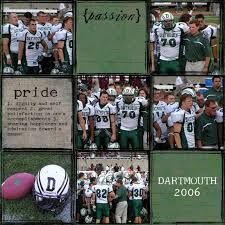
(187, 46)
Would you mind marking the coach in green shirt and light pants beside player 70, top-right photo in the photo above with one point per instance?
(197, 50)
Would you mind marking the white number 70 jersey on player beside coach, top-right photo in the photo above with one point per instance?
(169, 41)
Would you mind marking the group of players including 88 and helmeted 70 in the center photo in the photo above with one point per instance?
(112, 118)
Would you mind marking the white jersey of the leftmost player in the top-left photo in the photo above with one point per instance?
(13, 33)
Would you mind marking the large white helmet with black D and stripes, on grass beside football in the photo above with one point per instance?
(51, 188)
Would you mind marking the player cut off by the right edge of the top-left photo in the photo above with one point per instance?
(65, 45)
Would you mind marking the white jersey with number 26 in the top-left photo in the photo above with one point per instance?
(32, 44)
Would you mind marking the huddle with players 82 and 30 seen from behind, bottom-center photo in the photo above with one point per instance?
(112, 196)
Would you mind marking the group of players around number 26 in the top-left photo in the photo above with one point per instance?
(41, 45)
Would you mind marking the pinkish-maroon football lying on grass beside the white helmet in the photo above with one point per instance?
(17, 186)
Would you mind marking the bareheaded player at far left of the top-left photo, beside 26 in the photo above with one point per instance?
(11, 32)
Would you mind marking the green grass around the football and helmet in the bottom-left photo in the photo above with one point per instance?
(24, 209)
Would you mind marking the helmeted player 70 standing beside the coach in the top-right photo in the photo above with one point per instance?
(169, 35)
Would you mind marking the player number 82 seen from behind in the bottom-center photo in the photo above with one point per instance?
(102, 196)
